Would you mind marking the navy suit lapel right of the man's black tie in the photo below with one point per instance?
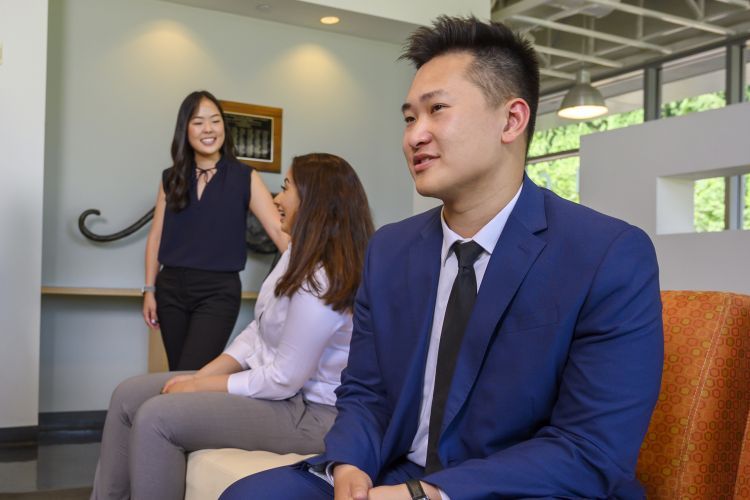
(514, 254)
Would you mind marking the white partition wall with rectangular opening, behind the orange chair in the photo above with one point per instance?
(619, 176)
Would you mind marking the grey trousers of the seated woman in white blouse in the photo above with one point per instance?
(147, 435)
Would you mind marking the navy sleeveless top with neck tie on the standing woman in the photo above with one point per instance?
(209, 234)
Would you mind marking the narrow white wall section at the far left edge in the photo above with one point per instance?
(23, 35)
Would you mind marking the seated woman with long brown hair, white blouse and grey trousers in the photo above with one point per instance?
(273, 387)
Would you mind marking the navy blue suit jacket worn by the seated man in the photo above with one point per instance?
(559, 368)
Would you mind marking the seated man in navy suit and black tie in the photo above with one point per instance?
(550, 388)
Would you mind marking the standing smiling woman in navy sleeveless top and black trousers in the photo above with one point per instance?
(198, 236)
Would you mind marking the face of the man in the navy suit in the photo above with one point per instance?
(452, 136)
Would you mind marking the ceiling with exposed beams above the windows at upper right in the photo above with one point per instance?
(607, 36)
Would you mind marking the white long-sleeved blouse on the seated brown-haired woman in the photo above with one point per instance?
(294, 343)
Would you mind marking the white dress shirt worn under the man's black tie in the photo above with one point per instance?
(487, 238)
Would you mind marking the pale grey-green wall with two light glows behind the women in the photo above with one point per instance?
(117, 73)
